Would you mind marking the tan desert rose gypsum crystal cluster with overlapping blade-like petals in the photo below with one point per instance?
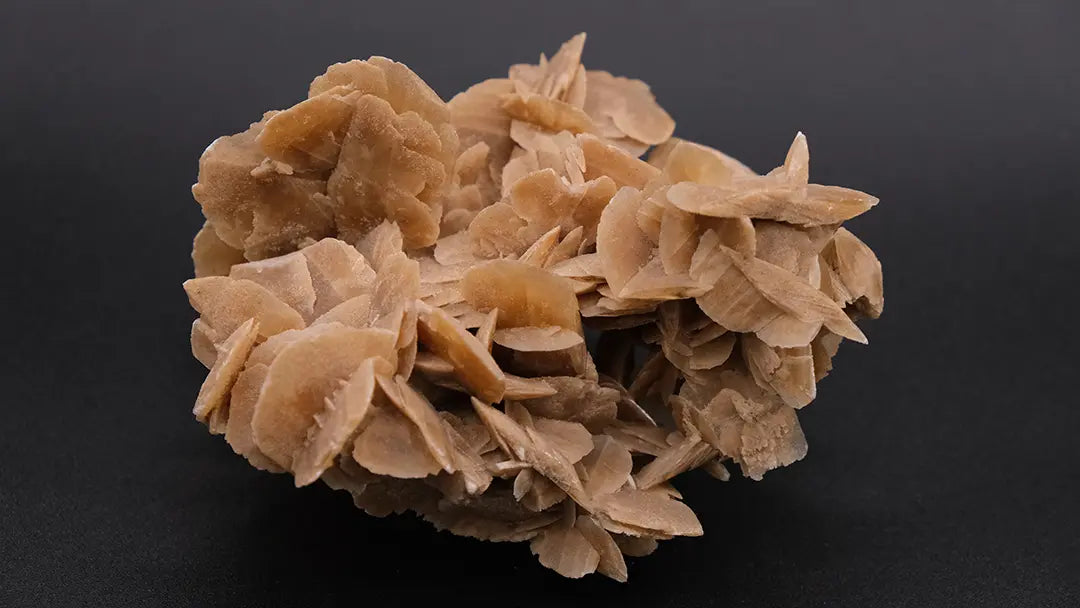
(395, 295)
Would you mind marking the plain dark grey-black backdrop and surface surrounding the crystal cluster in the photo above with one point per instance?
(943, 457)
